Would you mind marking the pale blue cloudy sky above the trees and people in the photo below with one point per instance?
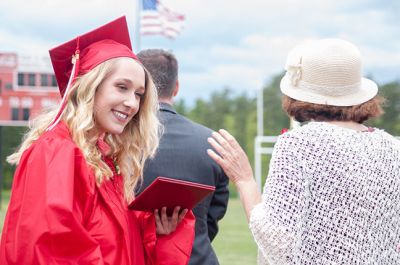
(238, 44)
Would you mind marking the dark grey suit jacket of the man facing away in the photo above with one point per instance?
(182, 155)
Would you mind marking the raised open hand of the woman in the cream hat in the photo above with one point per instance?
(230, 157)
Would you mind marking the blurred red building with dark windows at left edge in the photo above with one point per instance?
(27, 85)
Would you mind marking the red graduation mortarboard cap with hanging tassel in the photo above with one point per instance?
(83, 53)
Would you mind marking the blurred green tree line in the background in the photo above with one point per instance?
(238, 115)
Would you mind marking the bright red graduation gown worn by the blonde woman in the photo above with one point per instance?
(58, 215)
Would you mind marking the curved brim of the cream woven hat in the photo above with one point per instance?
(368, 90)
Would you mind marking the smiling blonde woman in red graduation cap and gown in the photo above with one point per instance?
(78, 165)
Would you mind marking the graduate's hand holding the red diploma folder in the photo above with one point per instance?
(166, 225)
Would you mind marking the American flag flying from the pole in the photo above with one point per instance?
(157, 19)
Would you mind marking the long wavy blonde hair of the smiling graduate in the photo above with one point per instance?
(130, 149)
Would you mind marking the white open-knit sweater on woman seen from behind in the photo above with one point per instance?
(332, 196)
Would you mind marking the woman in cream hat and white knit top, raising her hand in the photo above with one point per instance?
(332, 193)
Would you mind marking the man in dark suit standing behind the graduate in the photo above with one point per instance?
(182, 155)
